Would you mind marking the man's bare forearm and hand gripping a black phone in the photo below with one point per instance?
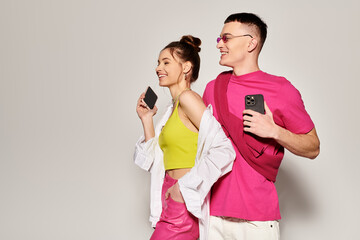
(305, 145)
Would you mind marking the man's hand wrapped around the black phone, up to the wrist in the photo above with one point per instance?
(261, 125)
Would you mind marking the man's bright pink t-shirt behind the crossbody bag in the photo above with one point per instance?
(244, 193)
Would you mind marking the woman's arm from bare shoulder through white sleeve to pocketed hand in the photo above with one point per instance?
(216, 158)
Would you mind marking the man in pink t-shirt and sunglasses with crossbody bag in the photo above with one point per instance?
(244, 203)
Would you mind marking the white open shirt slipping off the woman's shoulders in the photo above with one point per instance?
(214, 158)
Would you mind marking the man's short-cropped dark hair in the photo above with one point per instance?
(251, 20)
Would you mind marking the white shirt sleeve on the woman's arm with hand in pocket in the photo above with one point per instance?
(215, 158)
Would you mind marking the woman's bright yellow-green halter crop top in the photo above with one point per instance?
(178, 143)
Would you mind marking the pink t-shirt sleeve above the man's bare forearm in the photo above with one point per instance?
(292, 109)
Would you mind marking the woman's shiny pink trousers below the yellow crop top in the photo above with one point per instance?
(175, 223)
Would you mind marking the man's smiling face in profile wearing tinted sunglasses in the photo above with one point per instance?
(234, 51)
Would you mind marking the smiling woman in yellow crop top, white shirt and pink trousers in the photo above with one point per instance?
(187, 136)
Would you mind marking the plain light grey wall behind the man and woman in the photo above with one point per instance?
(70, 75)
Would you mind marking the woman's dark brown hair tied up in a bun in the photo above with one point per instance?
(187, 49)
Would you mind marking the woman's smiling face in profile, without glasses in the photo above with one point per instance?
(169, 69)
